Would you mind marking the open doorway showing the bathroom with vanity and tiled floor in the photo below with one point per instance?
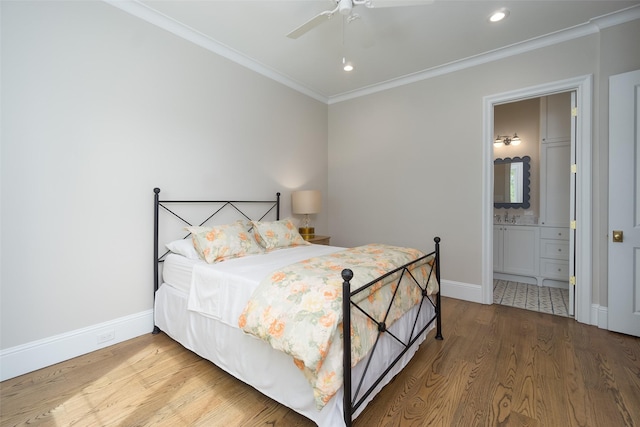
(532, 262)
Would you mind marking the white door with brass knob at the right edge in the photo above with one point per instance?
(624, 203)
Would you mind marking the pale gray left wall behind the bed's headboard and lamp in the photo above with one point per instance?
(98, 108)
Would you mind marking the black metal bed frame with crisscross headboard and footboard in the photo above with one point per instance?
(351, 401)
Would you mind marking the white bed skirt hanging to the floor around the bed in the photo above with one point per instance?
(270, 371)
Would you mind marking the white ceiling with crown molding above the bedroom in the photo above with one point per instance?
(388, 46)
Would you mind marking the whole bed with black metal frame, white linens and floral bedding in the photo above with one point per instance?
(207, 306)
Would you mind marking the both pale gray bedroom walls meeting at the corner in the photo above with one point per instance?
(99, 107)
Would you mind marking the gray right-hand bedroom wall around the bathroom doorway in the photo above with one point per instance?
(406, 164)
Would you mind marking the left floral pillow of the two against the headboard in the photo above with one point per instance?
(222, 242)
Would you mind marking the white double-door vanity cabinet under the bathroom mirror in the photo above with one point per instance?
(515, 249)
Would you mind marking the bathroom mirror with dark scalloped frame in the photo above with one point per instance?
(511, 182)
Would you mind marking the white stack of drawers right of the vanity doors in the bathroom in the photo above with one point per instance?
(554, 253)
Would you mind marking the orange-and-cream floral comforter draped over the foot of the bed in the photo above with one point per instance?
(298, 309)
